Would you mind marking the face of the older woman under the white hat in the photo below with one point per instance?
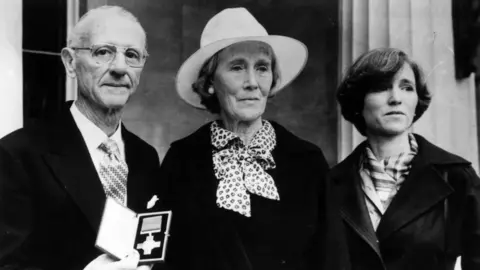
(243, 80)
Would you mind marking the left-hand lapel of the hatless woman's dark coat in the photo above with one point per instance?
(353, 208)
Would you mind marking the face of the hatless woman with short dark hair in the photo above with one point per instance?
(389, 110)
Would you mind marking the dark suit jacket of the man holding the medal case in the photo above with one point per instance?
(51, 198)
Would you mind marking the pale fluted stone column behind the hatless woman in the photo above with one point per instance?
(423, 29)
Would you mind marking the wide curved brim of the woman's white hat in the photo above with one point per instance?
(290, 53)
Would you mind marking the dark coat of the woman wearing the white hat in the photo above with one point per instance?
(278, 235)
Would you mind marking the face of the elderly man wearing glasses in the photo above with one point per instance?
(109, 85)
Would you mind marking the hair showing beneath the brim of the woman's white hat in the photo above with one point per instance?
(207, 74)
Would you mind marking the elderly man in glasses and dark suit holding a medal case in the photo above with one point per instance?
(55, 177)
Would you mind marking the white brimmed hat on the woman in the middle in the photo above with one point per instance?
(231, 26)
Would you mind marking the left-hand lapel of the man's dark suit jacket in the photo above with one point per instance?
(71, 163)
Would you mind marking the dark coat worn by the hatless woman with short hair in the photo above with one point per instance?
(417, 230)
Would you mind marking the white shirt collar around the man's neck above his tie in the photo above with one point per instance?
(91, 133)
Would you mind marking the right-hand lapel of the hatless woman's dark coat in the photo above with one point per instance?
(423, 188)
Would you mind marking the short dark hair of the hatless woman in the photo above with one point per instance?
(372, 70)
